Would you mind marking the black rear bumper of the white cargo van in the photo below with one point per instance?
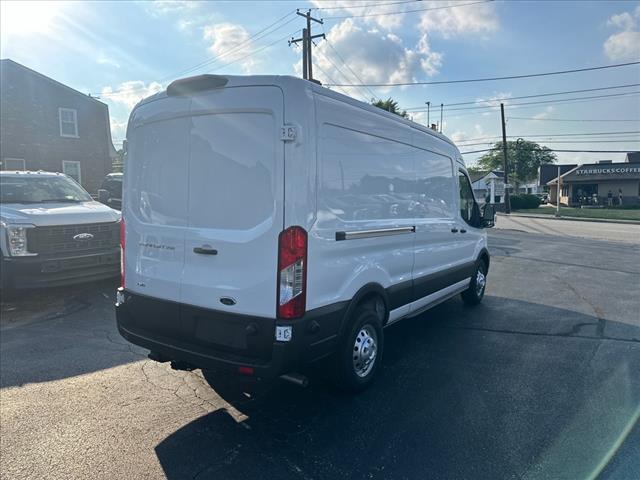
(217, 340)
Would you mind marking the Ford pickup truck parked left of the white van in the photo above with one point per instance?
(53, 232)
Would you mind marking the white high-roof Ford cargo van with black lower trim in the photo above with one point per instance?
(271, 223)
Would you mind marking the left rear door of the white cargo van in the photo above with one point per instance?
(155, 189)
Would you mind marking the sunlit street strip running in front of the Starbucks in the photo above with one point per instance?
(619, 232)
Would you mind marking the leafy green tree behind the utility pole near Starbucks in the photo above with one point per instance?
(524, 159)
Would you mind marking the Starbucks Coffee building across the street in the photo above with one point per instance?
(602, 183)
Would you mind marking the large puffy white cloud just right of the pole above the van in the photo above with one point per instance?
(375, 56)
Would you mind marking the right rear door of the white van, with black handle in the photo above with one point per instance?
(235, 200)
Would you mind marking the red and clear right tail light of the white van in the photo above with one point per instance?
(292, 273)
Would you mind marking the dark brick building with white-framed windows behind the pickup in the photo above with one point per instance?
(45, 125)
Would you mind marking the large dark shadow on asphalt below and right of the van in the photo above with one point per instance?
(510, 389)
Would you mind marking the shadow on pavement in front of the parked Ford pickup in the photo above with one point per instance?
(61, 332)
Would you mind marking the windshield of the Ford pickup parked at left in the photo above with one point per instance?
(41, 189)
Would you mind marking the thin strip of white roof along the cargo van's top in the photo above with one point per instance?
(285, 81)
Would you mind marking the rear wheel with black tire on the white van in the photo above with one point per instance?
(356, 366)
